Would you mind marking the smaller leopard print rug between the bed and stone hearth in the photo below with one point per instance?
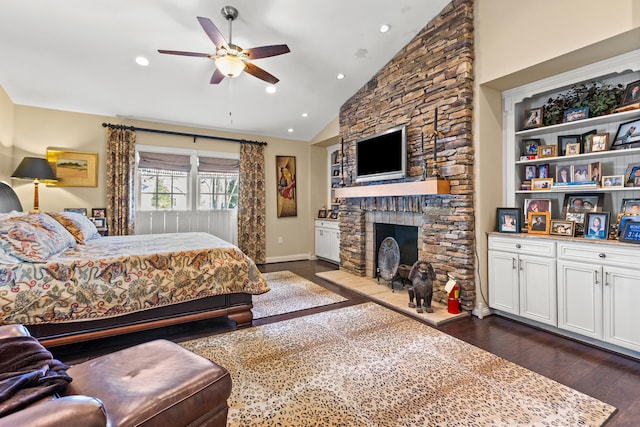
(290, 292)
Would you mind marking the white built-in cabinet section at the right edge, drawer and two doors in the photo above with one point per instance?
(598, 286)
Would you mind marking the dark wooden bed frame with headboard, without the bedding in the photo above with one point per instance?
(236, 307)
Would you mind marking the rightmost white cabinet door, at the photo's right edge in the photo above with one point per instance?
(621, 316)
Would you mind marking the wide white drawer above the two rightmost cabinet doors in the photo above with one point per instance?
(624, 256)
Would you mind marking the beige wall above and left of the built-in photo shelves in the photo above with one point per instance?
(515, 45)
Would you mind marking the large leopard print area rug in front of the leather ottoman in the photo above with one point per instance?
(366, 365)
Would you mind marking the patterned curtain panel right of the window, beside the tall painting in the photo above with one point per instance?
(251, 203)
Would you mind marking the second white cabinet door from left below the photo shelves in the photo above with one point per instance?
(538, 289)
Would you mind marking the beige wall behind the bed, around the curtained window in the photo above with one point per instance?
(35, 129)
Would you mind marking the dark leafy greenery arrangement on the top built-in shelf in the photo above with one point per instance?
(599, 97)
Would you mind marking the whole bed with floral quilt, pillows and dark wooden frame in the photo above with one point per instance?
(67, 283)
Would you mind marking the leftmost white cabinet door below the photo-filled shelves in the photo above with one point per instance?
(503, 282)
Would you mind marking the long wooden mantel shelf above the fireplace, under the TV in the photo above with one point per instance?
(413, 188)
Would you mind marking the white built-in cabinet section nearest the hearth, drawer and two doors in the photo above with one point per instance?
(522, 277)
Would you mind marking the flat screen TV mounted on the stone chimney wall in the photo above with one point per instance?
(382, 156)
